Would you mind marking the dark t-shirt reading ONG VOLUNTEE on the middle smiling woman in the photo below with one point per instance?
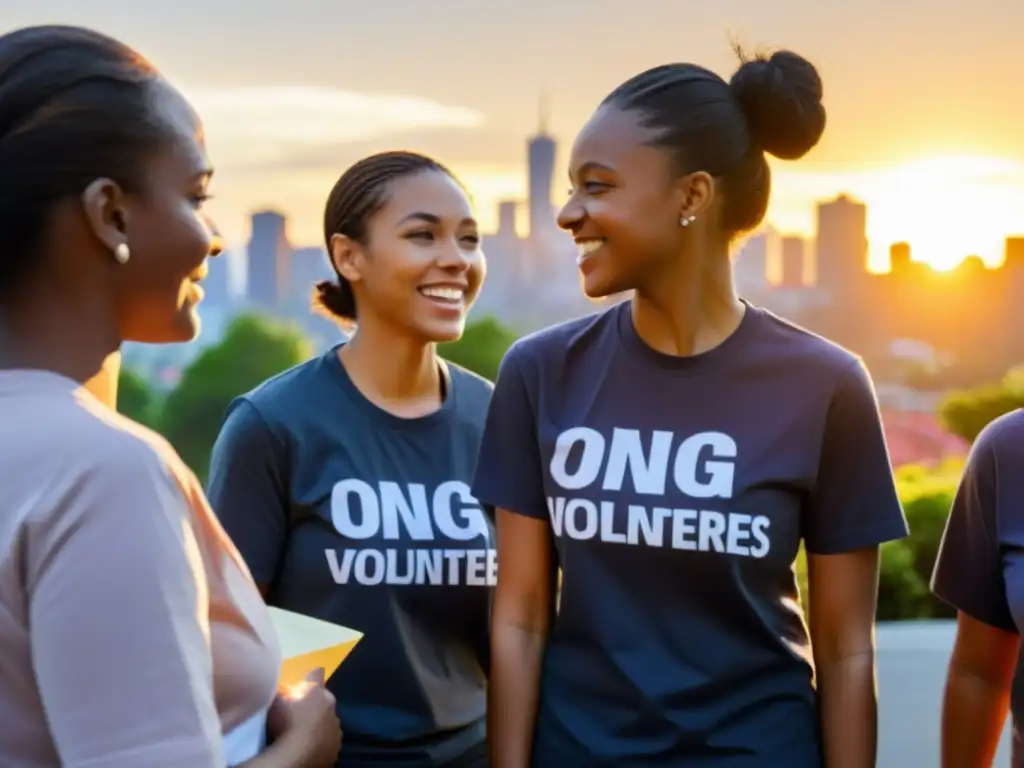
(357, 517)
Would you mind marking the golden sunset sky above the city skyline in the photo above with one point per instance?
(924, 102)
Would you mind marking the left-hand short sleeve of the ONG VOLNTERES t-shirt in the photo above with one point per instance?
(509, 472)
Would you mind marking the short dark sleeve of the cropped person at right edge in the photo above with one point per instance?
(968, 572)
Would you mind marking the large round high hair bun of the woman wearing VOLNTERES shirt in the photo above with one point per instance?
(782, 98)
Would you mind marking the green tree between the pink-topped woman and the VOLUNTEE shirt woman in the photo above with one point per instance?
(254, 349)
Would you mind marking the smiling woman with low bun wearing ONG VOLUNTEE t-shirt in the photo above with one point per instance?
(345, 482)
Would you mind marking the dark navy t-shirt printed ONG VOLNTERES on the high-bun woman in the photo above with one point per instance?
(678, 491)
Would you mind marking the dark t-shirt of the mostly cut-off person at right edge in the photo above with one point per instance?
(980, 568)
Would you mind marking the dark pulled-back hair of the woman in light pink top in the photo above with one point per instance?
(75, 106)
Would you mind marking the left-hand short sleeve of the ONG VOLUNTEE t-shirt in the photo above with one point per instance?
(247, 490)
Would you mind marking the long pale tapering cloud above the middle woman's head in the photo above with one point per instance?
(267, 125)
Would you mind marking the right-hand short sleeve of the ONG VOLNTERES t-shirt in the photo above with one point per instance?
(854, 503)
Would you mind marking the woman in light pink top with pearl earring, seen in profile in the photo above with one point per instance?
(132, 633)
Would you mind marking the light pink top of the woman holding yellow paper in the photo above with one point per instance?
(132, 634)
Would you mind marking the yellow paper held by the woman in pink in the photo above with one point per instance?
(309, 645)
